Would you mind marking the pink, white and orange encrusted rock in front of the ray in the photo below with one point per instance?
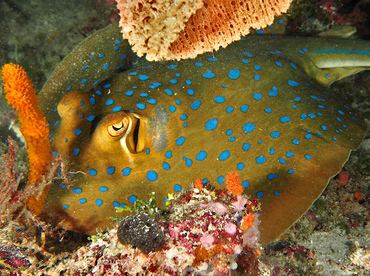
(206, 232)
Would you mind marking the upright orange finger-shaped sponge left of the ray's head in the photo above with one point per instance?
(21, 95)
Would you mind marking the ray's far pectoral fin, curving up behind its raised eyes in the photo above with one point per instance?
(95, 59)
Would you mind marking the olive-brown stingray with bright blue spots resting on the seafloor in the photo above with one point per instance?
(258, 107)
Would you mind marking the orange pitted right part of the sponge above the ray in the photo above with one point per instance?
(220, 22)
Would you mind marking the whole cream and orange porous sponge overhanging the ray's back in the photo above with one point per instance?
(171, 29)
